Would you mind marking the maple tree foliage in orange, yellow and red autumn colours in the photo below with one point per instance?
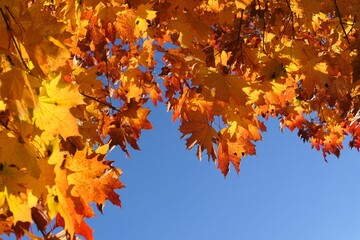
(76, 76)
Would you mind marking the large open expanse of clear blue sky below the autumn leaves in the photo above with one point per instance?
(285, 192)
